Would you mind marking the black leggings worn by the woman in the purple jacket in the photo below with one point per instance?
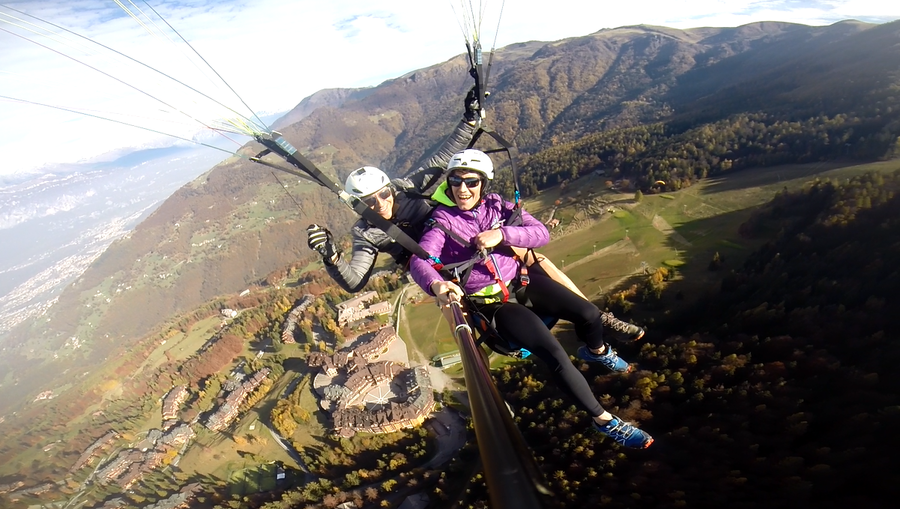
(523, 326)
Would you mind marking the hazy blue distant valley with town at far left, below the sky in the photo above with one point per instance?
(54, 225)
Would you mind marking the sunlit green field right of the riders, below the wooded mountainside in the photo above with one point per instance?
(704, 219)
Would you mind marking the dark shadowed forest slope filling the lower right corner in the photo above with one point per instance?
(783, 394)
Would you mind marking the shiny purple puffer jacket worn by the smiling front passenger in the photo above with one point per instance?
(491, 211)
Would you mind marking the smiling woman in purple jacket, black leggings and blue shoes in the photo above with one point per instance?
(468, 221)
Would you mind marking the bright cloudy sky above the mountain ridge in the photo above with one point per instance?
(272, 54)
